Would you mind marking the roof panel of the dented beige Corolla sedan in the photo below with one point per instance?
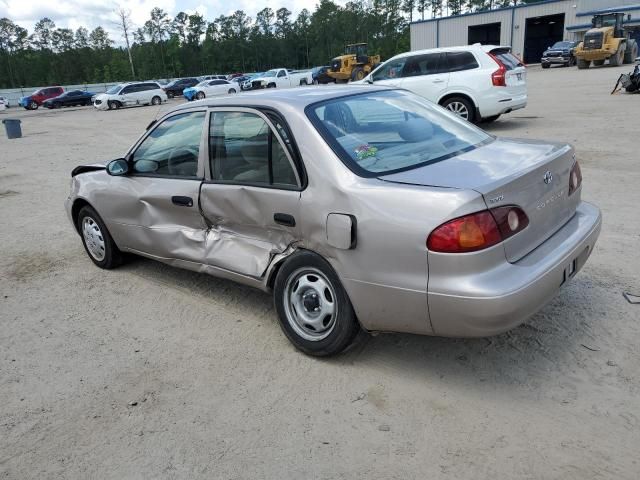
(298, 97)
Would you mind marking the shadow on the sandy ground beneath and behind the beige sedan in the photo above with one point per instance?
(550, 341)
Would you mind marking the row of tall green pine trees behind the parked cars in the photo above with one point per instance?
(188, 44)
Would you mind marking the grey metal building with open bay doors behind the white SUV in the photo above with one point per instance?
(528, 29)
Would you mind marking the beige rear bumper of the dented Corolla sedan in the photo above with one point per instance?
(510, 293)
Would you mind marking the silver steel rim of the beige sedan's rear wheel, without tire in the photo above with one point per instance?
(310, 304)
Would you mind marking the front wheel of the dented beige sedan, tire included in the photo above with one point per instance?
(97, 240)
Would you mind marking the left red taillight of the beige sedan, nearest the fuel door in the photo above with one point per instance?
(477, 231)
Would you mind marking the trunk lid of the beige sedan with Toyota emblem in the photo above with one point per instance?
(531, 175)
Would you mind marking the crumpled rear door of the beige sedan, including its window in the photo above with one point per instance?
(251, 202)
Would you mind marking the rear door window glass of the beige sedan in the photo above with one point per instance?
(244, 149)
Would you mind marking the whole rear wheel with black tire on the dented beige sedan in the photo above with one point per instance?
(342, 326)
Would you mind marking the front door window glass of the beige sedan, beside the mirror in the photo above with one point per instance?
(172, 148)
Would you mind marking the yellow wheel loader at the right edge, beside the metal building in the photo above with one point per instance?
(607, 39)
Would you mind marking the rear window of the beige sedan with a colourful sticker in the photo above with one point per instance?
(390, 131)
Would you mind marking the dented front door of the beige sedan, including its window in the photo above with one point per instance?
(154, 209)
